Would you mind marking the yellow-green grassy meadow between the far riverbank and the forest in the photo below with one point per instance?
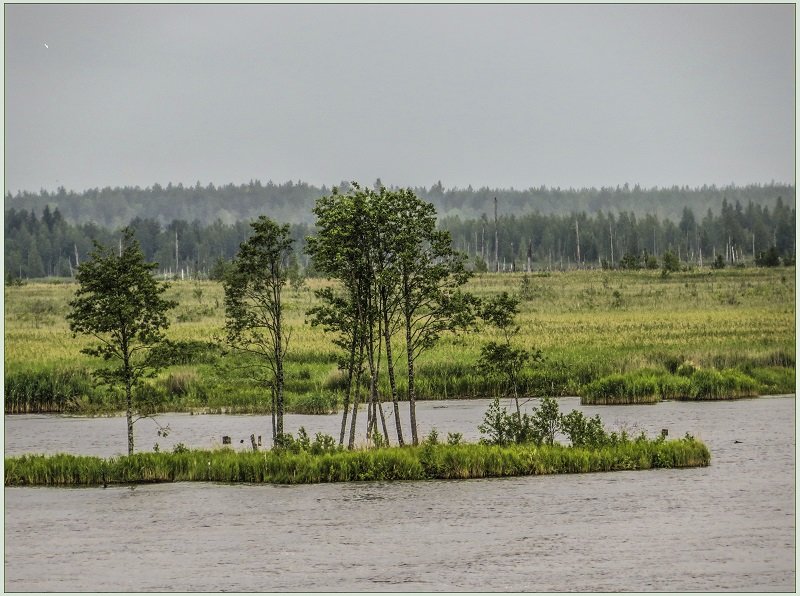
(658, 337)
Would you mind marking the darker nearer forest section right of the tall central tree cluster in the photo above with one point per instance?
(735, 233)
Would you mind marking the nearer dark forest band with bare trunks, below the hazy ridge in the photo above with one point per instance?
(44, 243)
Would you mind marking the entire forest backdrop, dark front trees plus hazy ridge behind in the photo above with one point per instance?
(194, 231)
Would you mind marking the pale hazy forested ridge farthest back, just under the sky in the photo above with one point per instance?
(292, 202)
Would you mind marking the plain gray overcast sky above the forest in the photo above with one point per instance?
(487, 95)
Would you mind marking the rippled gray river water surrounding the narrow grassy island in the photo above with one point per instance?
(728, 527)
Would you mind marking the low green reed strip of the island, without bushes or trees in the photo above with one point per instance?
(425, 462)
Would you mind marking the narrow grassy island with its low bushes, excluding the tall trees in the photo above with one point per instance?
(512, 444)
